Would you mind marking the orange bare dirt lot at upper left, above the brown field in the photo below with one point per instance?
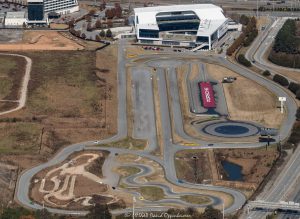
(42, 40)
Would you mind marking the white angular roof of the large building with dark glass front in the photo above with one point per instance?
(211, 16)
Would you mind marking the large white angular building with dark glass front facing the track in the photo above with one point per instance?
(195, 25)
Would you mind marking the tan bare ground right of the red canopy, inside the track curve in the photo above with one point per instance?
(244, 99)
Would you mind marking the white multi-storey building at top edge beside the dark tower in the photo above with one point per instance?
(61, 6)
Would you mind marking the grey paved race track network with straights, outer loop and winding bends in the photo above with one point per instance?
(144, 127)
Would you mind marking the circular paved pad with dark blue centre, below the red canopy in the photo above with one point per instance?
(231, 129)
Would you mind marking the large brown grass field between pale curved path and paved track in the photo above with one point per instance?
(66, 99)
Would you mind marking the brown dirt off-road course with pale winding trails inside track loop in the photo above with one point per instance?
(73, 185)
